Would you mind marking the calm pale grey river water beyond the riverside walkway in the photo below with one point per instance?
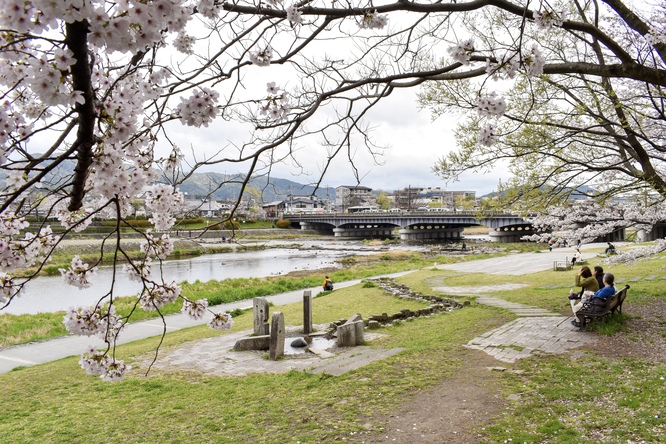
(50, 293)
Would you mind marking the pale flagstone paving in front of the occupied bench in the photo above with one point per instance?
(536, 332)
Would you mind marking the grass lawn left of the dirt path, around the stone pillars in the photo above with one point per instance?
(57, 402)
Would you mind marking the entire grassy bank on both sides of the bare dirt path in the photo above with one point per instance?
(557, 400)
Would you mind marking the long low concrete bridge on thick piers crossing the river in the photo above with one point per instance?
(413, 225)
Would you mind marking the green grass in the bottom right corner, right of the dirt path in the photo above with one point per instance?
(589, 400)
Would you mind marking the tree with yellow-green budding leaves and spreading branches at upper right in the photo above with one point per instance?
(568, 113)
